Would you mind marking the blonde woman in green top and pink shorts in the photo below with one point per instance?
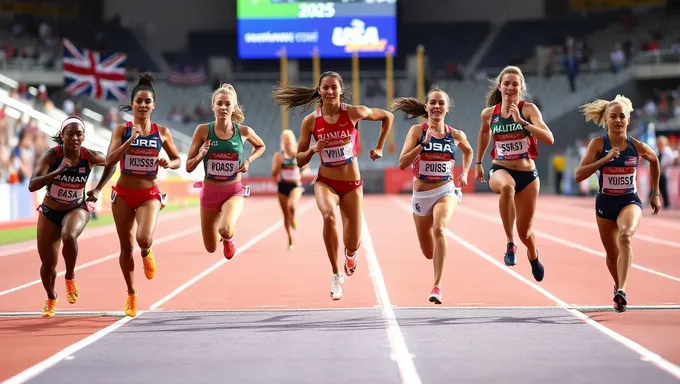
(222, 191)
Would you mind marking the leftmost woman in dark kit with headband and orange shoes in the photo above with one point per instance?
(64, 170)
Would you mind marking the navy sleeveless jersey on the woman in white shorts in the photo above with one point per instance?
(435, 162)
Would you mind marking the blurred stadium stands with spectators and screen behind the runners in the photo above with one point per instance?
(570, 51)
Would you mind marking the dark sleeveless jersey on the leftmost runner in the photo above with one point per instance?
(69, 186)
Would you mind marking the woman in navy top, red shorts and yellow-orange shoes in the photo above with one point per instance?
(136, 145)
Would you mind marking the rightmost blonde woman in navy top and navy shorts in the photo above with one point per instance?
(615, 157)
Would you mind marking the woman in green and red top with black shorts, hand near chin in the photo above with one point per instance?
(516, 127)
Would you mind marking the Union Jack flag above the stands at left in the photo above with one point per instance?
(86, 74)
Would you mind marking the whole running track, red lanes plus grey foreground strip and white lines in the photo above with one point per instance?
(266, 315)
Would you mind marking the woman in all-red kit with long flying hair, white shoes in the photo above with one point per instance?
(334, 126)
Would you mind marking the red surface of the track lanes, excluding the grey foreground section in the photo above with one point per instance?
(268, 276)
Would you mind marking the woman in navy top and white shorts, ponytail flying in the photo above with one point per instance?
(430, 148)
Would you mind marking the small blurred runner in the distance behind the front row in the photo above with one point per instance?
(289, 178)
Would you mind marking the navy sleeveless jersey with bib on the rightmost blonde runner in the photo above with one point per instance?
(618, 176)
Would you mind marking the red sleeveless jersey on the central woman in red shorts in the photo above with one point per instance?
(342, 138)
